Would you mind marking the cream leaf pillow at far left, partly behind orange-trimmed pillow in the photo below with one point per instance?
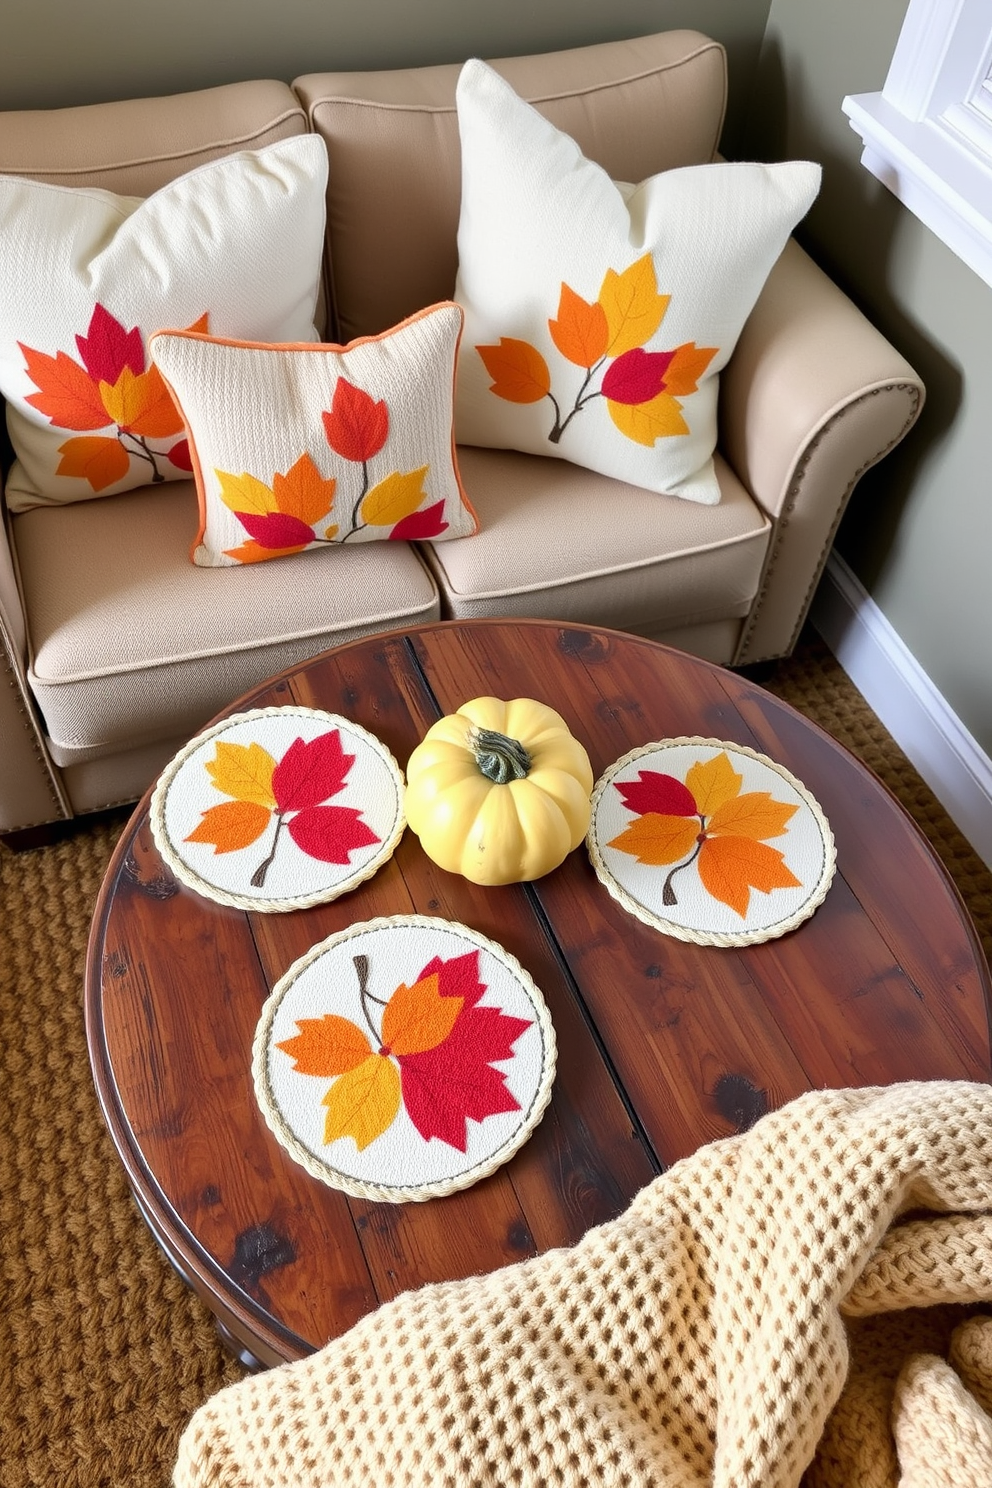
(233, 248)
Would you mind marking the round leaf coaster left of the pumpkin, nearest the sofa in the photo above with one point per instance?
(279, 809)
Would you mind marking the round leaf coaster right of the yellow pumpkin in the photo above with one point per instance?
(710, 843)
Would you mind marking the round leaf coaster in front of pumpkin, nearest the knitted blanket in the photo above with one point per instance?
(404, 1059)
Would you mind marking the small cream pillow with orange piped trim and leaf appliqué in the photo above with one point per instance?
(300, 447)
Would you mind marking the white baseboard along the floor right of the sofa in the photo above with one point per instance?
(901, 693)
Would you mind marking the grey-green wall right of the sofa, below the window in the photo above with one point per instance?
(920, 527)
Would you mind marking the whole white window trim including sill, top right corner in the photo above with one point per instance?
(929, 135)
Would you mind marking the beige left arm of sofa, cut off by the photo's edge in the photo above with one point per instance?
(30, 788)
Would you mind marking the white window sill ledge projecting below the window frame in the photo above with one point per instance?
(933, 172)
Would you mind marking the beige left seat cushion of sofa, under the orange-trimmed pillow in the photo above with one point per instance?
(130, 642)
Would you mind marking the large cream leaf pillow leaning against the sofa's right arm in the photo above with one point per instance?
(599, 315)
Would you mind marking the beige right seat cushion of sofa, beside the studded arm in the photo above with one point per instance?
(564, 544)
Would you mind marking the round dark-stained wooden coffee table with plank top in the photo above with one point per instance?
(663, 1045)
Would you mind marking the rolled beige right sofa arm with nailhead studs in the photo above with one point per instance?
(813, 397)
